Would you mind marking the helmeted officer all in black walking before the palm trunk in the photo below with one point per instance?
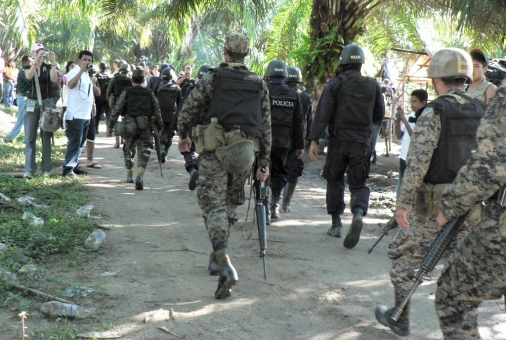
(349, 104)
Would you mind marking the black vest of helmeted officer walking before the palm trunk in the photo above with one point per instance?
(355, 99)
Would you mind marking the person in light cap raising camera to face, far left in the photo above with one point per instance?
(44, 74)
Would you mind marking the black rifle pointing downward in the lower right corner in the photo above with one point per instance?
(430, 260)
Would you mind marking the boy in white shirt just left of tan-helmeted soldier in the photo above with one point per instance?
(404, 128)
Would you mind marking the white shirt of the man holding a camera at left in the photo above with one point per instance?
(81, 98)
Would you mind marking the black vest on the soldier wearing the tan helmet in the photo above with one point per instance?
(459, 123)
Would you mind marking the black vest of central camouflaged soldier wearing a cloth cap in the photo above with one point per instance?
(236, 101)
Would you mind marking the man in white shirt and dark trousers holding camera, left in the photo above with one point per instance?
(81, 96)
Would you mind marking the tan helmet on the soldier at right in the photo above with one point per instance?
(451, 63)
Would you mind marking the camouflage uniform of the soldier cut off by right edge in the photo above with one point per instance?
(477, 270)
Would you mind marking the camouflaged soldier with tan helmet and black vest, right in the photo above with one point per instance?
(442, 142)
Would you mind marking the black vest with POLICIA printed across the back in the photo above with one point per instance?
(283, 101)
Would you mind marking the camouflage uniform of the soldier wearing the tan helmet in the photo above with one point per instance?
(409, 246)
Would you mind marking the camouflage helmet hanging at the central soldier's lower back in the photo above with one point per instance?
(237, 157)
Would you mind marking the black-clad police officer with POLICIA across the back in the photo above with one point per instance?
(287, 130)
